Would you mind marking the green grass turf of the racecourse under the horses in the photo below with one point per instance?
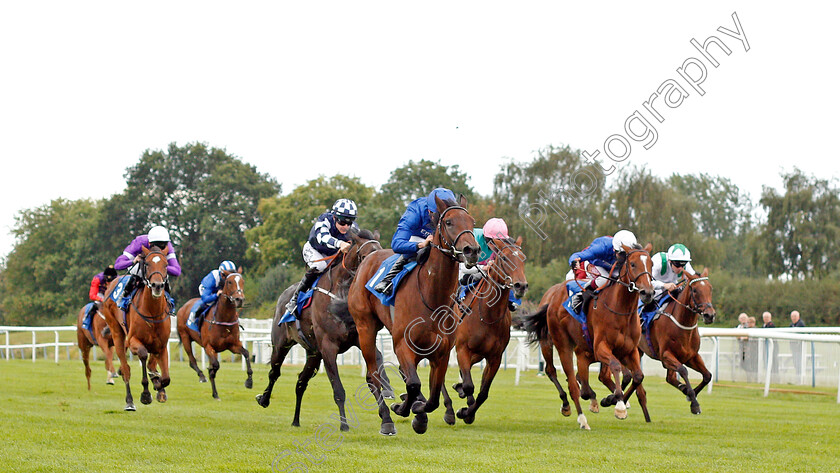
(52, 423)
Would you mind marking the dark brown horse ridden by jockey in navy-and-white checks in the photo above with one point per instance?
(325, 333)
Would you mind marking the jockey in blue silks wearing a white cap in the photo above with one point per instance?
(598, 258)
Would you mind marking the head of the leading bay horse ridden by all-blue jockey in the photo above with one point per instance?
(454, 234)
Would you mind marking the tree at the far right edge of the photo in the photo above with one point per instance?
(803, 226)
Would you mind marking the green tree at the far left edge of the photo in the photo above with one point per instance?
(48, 273)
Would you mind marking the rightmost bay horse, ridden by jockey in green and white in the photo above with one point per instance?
(674, 340)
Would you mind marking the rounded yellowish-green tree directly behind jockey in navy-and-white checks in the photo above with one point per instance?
(286, 220)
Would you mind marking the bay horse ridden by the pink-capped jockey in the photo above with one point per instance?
(484, 331)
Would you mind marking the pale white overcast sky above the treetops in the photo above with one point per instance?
(307, 88)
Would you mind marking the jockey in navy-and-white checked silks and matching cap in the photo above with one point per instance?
(328, 236)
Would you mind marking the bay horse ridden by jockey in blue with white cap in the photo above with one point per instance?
(614, 327)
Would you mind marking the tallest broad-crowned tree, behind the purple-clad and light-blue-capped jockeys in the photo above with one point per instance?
(205, 197)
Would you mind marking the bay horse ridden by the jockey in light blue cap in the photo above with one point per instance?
(220, 329)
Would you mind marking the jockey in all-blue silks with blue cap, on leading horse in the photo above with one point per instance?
(414, 232)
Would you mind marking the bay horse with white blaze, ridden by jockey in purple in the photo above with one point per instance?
(145, 328)
